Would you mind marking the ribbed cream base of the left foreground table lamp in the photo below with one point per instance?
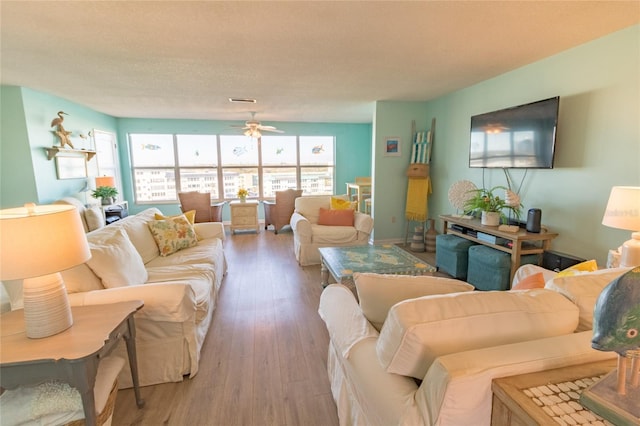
(46, 306)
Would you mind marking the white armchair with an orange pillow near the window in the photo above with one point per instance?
(309, 236)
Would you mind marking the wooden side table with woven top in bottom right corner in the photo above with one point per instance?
(555, 393)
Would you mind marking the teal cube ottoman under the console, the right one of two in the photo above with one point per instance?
(490, 269)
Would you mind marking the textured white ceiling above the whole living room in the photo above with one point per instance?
(309, 61)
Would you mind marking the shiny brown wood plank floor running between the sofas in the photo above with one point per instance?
(264, 361)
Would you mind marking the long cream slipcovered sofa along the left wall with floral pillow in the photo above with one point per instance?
(179, 292)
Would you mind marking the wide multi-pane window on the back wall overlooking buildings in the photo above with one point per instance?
(165, 164)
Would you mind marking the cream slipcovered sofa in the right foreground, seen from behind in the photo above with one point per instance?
(433, 359)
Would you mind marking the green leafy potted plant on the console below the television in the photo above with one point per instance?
(491, 205)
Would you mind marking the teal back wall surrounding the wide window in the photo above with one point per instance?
(352, 154)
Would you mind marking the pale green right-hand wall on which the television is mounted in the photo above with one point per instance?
(598, 144)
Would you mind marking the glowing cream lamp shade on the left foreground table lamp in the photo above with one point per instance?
(40, 240)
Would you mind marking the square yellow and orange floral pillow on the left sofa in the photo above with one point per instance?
(173, 234)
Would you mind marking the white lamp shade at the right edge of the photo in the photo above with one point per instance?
(623, 208)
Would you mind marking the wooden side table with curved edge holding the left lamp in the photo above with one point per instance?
(71, 356)
